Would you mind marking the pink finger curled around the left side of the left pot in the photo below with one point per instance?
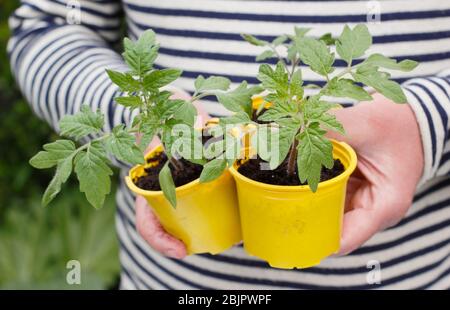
(149, 227)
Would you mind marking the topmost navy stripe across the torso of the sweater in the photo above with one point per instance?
(323, 19)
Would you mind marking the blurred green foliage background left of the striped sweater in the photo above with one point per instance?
(35, 242)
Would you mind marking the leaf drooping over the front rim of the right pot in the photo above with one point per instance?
(314, 151)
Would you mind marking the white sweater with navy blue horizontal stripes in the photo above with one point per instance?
(59, 51)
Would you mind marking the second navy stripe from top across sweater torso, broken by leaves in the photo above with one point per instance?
(237, 37)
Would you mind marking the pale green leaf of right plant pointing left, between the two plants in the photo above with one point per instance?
(239, 99)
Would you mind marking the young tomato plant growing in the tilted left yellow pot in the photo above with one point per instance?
(158, 115)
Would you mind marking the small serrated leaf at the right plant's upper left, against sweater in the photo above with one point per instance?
(276, 80)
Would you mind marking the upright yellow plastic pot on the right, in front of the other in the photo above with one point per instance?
(290, 226)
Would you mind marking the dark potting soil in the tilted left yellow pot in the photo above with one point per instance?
(150, 181)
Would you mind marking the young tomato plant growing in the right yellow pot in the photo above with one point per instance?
(301, 121)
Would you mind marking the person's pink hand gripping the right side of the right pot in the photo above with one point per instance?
(387, 140)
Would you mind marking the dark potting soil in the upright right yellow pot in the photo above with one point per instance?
(252, 170)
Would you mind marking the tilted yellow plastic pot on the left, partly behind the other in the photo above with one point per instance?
(206, 218)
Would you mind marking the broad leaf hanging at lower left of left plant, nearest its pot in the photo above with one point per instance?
(93, 173)
